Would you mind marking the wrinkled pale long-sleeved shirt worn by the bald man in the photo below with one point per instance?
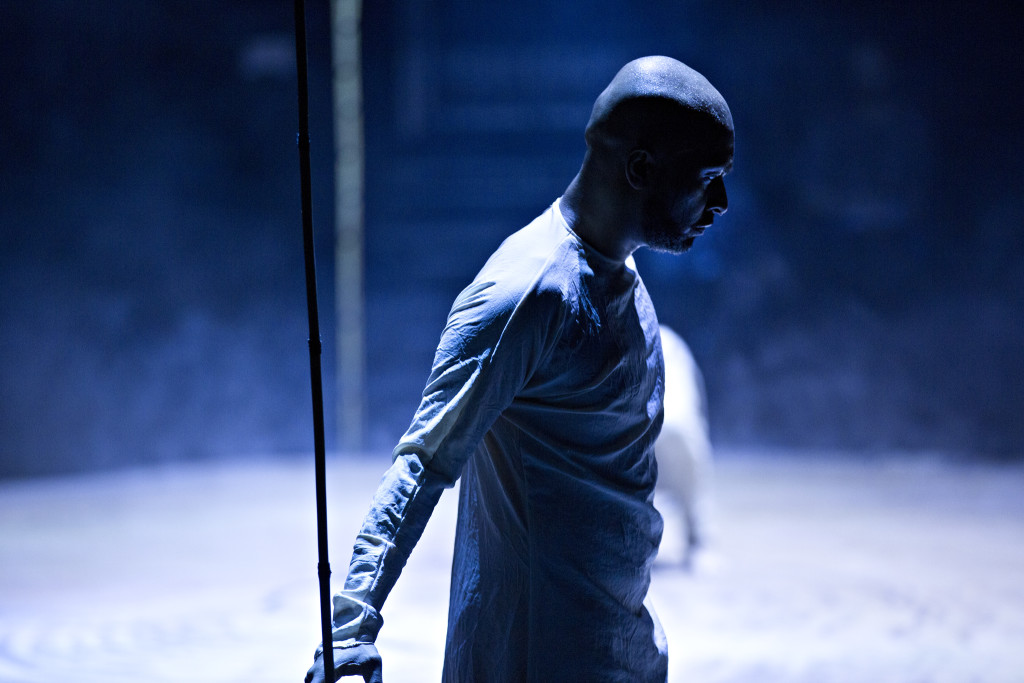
(545, 397)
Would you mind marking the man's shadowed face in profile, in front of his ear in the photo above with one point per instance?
(687, 193)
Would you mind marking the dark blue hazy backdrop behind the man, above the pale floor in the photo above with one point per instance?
(866, 291)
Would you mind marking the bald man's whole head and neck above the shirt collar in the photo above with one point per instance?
(660, 144)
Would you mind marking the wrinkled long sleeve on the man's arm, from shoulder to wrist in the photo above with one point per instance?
(488, 351)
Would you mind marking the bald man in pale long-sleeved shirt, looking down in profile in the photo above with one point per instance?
(545, 398)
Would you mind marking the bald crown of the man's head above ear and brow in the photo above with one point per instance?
(660, 105)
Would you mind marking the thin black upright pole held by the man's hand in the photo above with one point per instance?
(316, 378)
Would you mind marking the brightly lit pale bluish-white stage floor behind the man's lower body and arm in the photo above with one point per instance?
(825, 570)
